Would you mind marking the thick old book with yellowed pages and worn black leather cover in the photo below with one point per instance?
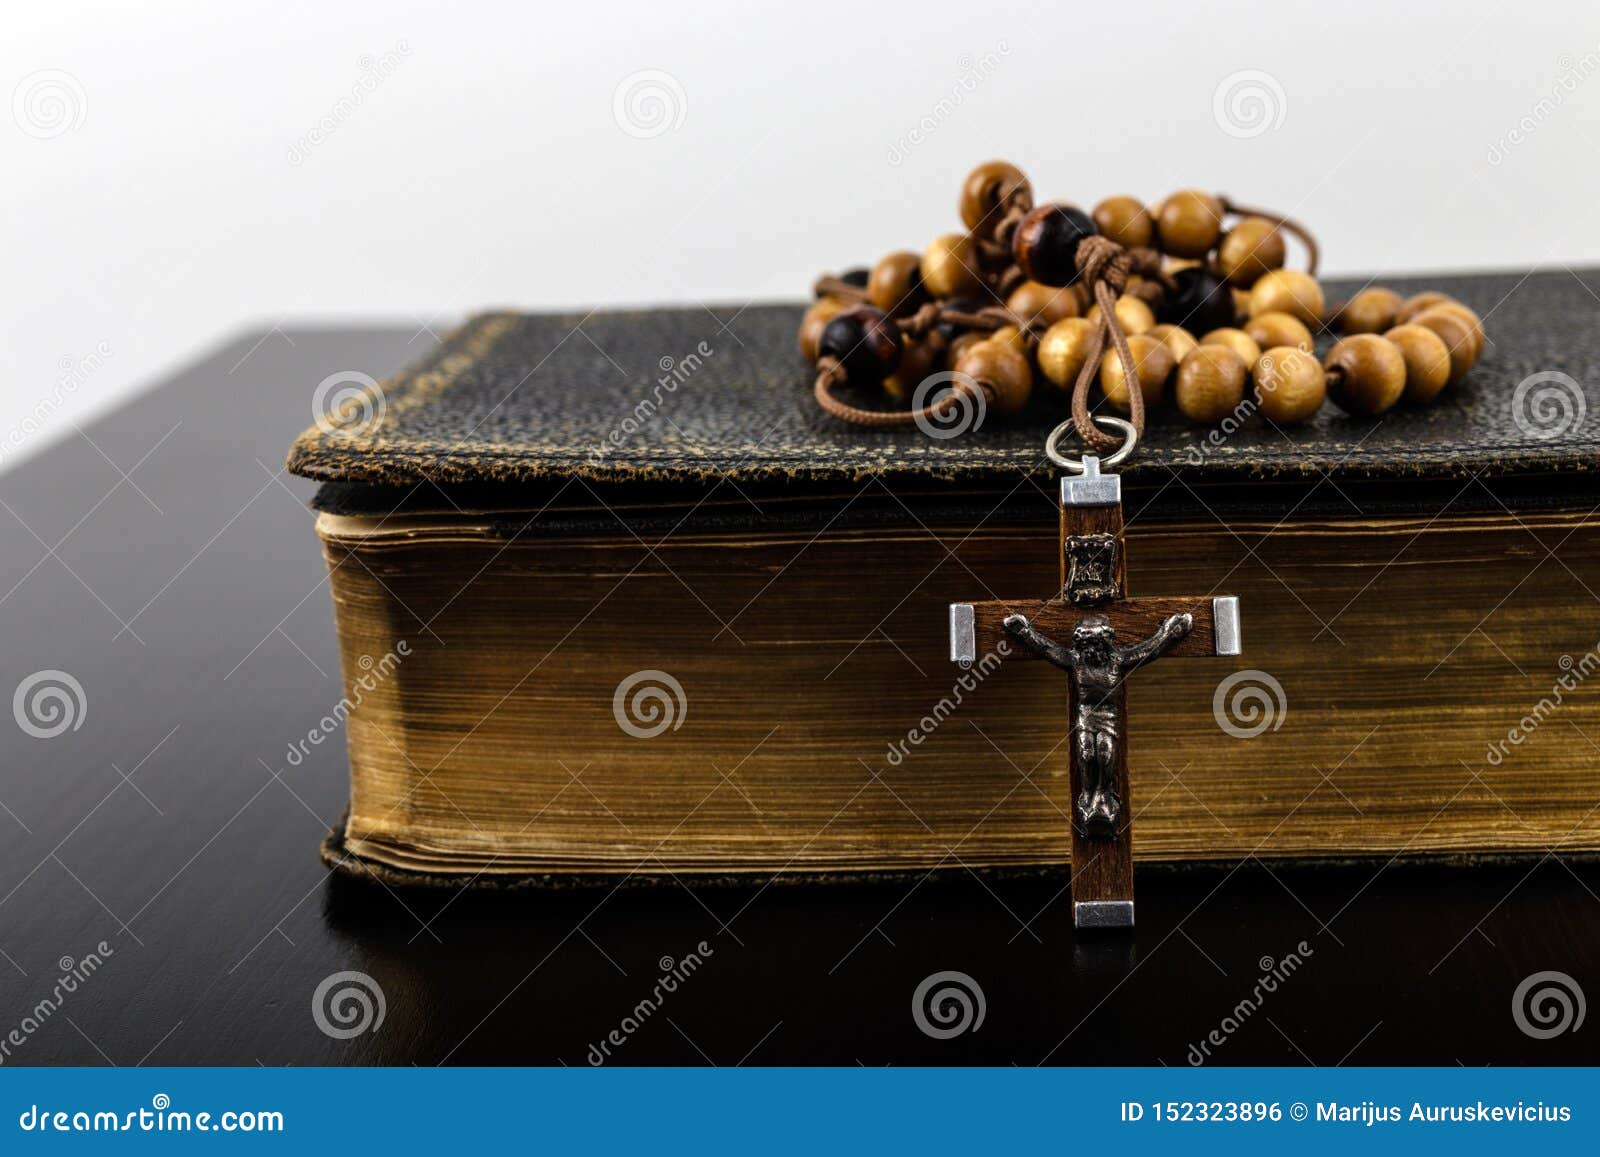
(615, 601)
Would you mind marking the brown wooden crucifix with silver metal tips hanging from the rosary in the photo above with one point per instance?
(1079, 631)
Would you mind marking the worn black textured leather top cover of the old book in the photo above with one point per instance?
(684, 396)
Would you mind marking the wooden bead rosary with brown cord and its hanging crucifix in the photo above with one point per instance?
(1116, 297)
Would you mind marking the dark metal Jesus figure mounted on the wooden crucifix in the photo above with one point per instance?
(1098, 668)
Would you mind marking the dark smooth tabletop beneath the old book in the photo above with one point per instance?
(166, 562)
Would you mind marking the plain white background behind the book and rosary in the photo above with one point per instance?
(177, 198)
